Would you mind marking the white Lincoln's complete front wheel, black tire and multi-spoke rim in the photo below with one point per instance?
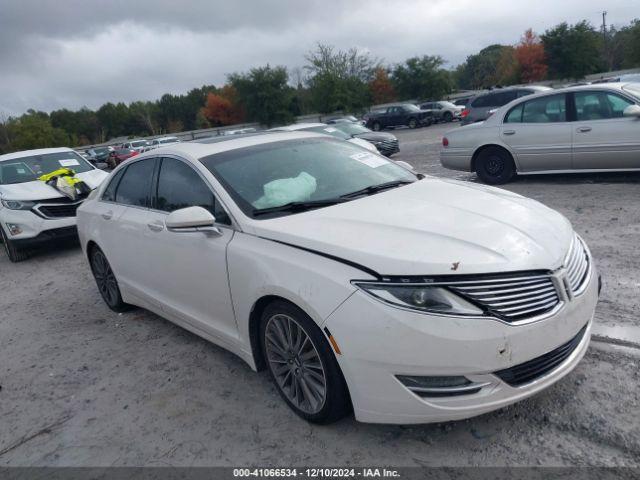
(313, 387)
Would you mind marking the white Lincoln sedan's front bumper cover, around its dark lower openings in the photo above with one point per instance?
(379, 342)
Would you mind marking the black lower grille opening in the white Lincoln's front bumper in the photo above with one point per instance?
(533, 369)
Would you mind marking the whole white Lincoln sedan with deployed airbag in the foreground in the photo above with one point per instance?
(356, 283)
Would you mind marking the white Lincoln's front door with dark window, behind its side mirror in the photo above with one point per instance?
(186, 272)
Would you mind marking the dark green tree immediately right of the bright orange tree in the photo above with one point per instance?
(573, 51)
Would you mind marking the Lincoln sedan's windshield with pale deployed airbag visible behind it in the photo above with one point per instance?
(296, 171)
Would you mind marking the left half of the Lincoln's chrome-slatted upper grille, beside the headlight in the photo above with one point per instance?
(512, 299)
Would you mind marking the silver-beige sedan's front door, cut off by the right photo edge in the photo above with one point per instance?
(602, 137)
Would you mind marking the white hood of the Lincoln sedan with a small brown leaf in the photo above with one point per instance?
(432, 227)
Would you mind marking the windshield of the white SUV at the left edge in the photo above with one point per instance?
(28, 169)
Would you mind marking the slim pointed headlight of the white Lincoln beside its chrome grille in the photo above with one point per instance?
(424, 298)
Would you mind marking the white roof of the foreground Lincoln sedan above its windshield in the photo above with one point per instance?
(196, 150)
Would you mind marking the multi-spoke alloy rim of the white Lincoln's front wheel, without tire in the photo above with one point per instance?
(295, 363)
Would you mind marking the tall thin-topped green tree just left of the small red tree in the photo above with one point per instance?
(338, 80)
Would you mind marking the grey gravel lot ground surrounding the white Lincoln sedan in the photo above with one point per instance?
(83, 386)
